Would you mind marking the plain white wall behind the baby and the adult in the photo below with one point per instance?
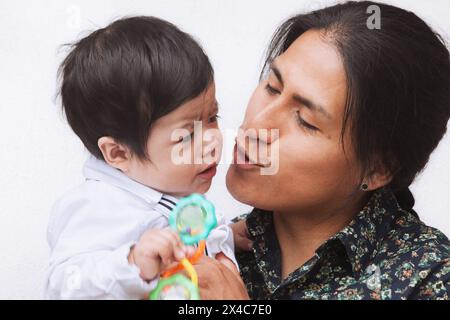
(41, 158)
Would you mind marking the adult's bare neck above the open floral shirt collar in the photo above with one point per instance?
(301, 232)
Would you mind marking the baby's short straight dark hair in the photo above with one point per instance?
(120, 79)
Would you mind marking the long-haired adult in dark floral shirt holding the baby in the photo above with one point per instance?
(359, 112)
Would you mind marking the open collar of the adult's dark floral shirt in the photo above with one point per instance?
(360, 238)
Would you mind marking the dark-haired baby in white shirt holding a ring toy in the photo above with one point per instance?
(133, 92)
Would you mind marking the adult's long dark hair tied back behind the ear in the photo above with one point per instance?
(398, 83)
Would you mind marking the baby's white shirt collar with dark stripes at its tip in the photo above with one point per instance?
(96, 169)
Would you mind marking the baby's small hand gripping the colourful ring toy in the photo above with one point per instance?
(158, 250)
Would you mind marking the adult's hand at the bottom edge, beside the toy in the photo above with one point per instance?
(218, 281)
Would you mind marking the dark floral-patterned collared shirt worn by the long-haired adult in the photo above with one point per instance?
(385, 252)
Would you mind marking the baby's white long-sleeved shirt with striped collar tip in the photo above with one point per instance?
(92, 228)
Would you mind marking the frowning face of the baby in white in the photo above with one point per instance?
(182, 160)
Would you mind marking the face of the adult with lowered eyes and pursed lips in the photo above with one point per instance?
(304, 97)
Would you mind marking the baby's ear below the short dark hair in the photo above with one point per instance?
(114, 153)
